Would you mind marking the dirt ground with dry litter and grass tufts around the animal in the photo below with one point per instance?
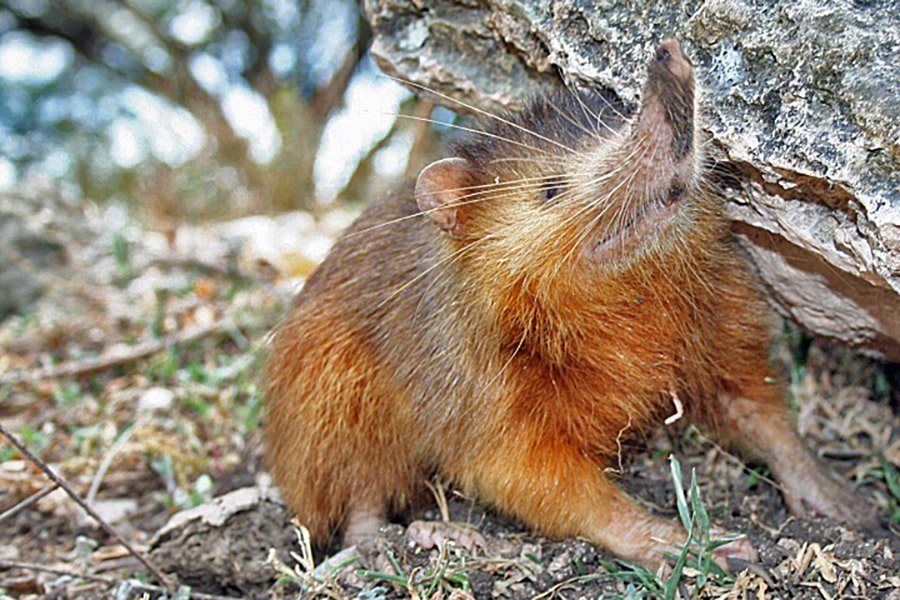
(136, 380)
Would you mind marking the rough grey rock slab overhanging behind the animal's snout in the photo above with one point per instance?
(801, 101)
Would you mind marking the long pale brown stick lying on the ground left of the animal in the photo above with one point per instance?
(116, 359)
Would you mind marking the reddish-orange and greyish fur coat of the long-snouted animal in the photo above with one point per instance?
(511, 360)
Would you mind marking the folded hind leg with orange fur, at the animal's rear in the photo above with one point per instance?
(336, 431)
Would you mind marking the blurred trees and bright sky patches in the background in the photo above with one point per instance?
(191, 110)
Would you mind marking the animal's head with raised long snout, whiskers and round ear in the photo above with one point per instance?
(570, 197)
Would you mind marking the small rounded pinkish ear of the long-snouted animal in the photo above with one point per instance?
(441, 195)
